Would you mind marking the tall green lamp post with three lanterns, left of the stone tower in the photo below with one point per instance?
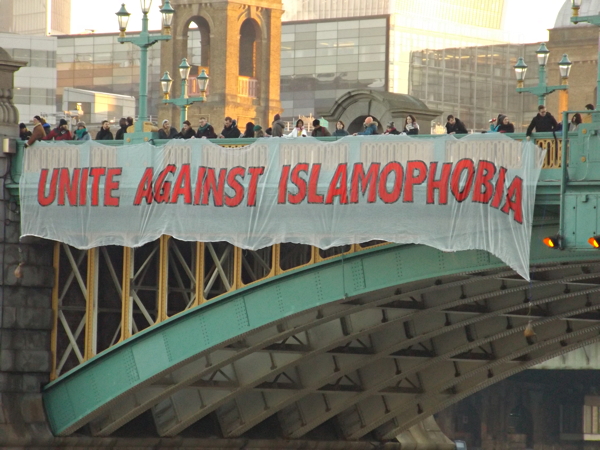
(144, 40)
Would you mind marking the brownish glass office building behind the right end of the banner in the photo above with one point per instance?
(474, 83)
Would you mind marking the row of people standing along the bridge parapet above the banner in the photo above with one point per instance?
(42, 131)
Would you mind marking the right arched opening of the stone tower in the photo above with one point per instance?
(249, 57)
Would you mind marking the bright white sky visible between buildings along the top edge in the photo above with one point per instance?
(528, 20)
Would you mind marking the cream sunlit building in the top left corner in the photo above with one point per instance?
(35, 17)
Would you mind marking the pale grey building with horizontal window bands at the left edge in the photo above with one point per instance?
(35, 84)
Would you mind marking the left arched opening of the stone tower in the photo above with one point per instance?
(198, 52)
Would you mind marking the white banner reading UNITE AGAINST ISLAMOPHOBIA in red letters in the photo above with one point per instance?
(477, 192)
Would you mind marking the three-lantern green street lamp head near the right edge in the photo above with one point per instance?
(542, 89)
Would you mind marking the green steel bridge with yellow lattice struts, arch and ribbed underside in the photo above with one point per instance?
(374, 337)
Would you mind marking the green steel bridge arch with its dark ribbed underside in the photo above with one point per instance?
(364, 332)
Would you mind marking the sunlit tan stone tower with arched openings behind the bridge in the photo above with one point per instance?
(240, 48)
